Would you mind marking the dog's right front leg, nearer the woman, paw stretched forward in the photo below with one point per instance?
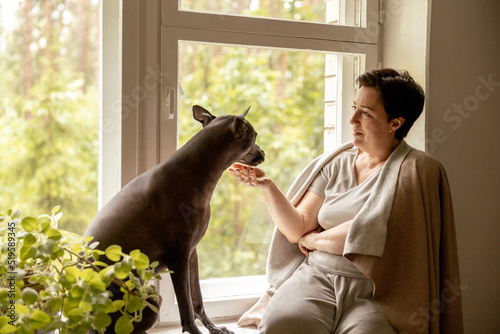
(197, 298)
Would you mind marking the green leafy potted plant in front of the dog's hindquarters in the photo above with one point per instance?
(52, 281)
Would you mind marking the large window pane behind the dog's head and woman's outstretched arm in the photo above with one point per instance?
(286, 92)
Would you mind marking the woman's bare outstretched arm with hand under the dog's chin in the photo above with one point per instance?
(292, 221)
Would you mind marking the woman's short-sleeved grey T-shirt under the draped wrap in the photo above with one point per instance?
(337, 183)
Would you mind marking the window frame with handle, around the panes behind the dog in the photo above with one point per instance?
(139, 50)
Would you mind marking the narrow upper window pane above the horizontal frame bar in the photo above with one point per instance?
(341, 12)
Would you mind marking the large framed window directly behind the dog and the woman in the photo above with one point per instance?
(294, 74)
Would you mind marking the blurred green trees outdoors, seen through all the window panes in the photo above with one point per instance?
(49, 141)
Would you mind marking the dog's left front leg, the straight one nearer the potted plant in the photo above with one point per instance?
(180, 280)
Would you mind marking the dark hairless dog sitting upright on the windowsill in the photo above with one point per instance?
(165, 211)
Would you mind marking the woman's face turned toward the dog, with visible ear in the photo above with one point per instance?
(371, 130)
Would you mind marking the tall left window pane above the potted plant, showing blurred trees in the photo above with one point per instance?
(48, 108)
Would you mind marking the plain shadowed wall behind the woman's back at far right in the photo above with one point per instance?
(464, 50)
